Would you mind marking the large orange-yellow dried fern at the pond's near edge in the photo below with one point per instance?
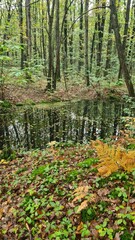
(113, 158)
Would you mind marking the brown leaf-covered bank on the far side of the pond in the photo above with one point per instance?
(35, 92)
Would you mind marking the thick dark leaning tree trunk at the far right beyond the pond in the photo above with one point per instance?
(121, 53)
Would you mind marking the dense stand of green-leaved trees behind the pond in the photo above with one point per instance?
(89, 42)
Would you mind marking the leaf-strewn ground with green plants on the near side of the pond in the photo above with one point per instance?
(62, 193)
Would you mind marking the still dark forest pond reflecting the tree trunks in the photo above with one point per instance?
(33, 127)
